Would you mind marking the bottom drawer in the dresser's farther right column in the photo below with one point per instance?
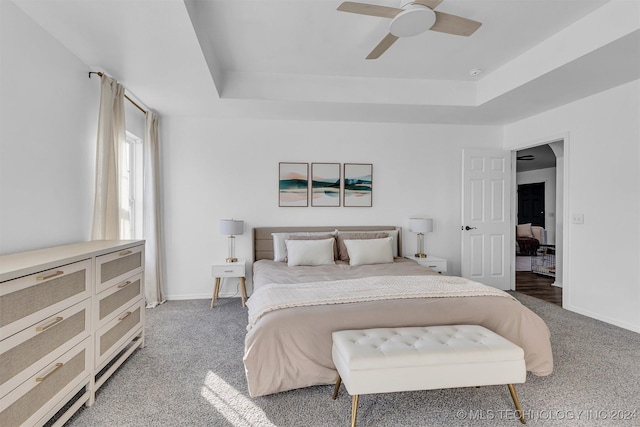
(118, 332)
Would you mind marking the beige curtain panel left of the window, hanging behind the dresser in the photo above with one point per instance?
(111, 138)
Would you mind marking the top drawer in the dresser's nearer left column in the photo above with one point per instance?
(31, 299)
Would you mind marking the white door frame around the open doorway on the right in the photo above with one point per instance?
(565, 217)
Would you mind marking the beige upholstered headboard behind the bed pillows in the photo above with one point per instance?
(263, 241)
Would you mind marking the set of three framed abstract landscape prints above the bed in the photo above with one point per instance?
(326, 185)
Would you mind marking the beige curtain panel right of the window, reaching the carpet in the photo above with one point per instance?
(154, 248)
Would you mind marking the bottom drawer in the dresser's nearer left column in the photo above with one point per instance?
(41, 394)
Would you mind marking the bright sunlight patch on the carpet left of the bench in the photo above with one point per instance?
(231, 404)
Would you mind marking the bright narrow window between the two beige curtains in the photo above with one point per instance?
(131, 188)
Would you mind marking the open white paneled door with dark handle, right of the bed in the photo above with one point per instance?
(486, 220)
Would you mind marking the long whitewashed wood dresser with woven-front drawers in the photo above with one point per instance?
(69, 316)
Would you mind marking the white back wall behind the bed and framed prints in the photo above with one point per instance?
(222, 168)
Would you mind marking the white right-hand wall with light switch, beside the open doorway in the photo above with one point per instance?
(602, 160)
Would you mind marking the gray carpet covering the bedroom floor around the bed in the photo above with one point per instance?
(191, 374)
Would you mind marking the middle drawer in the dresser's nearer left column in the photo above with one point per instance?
(33, 348)
